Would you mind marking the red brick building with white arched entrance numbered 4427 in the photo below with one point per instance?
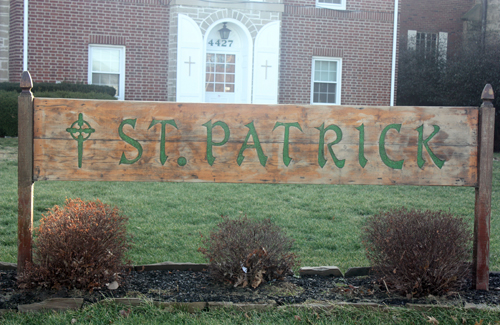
(277, 51)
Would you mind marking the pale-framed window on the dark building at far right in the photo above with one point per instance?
(430, 45)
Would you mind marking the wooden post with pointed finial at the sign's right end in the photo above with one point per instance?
(482, 215)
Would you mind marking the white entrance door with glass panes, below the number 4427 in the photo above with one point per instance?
(220, 78)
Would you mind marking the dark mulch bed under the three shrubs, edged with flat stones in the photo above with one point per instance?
(190, 286)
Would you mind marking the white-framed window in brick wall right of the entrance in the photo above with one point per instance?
(326, 75)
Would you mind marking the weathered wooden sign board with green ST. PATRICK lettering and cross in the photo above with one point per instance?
(264, 144)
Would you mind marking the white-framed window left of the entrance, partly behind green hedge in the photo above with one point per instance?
(107, 67)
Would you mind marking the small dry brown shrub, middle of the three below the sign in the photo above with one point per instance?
(248, 252)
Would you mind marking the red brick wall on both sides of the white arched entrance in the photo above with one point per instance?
(61, 30)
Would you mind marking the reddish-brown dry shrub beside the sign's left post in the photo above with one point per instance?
(82, 245)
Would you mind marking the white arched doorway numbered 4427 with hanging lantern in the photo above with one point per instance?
(228, 63)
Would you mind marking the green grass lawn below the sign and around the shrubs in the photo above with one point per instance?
(166, 219)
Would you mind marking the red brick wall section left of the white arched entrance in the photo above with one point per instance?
(61, 30)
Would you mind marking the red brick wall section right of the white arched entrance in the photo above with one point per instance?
(362, 36)
